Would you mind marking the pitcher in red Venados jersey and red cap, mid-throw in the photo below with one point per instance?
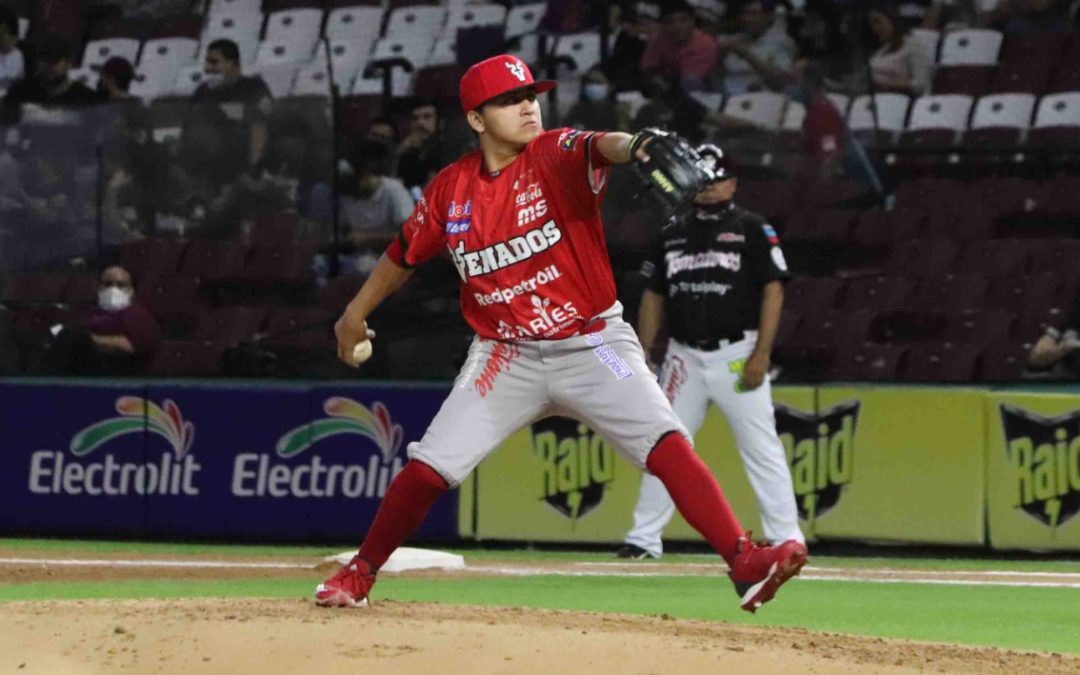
(520, 218)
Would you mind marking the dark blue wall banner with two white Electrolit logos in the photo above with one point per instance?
(213, 462)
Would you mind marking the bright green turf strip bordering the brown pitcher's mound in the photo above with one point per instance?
(1018, 618)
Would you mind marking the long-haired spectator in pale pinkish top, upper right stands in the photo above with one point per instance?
(900, 64)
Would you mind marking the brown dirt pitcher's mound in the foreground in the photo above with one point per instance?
(195, 637)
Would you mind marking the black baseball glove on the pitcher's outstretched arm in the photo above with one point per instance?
(673, 170)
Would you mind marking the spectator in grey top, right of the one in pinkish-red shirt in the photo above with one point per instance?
(753, 60)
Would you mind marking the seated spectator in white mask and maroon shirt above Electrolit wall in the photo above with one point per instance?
(118, 337)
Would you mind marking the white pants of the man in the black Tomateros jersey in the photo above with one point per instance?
(692, 379)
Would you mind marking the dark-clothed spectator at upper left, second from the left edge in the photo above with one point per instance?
(51, 85)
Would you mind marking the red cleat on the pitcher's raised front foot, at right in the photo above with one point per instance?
(760, 571)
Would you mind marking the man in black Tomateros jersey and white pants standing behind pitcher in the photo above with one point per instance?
(719, 278)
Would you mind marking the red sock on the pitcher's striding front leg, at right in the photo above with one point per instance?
(696, 493)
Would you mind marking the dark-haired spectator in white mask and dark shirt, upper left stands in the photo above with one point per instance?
(225, 131)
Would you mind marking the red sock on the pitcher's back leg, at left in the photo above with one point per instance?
(408, 503)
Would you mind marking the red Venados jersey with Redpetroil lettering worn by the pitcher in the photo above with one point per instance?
(528, 240)
